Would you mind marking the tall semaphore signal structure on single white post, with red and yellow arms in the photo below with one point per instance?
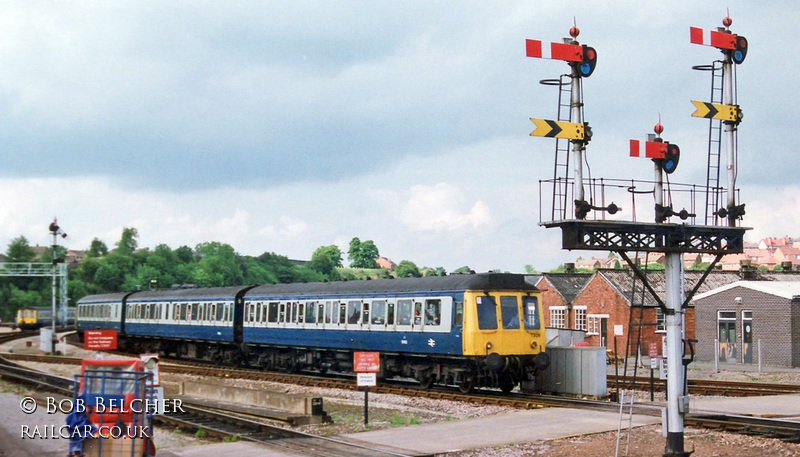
(587, 231)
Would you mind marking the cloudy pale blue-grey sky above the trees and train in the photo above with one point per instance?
(284, 126)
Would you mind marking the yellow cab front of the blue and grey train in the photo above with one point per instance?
(504, 333)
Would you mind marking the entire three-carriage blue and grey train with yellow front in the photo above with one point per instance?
(479, 330)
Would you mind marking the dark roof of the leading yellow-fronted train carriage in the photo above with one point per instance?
(483, 281)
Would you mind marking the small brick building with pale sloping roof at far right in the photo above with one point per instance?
(732, 319)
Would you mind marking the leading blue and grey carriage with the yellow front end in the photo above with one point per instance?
(465, 330)
